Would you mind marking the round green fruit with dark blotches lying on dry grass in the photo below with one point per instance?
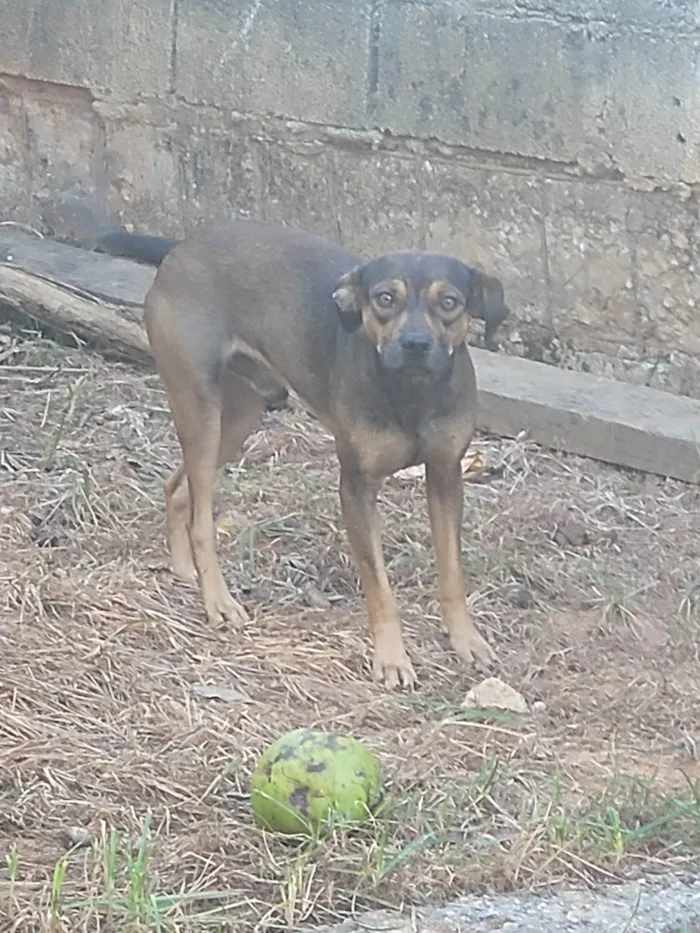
(307, 778)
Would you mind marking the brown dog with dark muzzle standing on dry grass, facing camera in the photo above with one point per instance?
(376, 350)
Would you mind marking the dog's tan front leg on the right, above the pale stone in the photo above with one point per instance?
(445, 504)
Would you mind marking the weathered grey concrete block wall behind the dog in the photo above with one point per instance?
(556, 142)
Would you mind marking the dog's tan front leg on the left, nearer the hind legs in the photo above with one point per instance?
(358, 497)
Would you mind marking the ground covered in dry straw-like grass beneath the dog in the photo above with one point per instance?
(129, 726)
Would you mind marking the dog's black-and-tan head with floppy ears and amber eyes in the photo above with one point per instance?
(415, 307)
